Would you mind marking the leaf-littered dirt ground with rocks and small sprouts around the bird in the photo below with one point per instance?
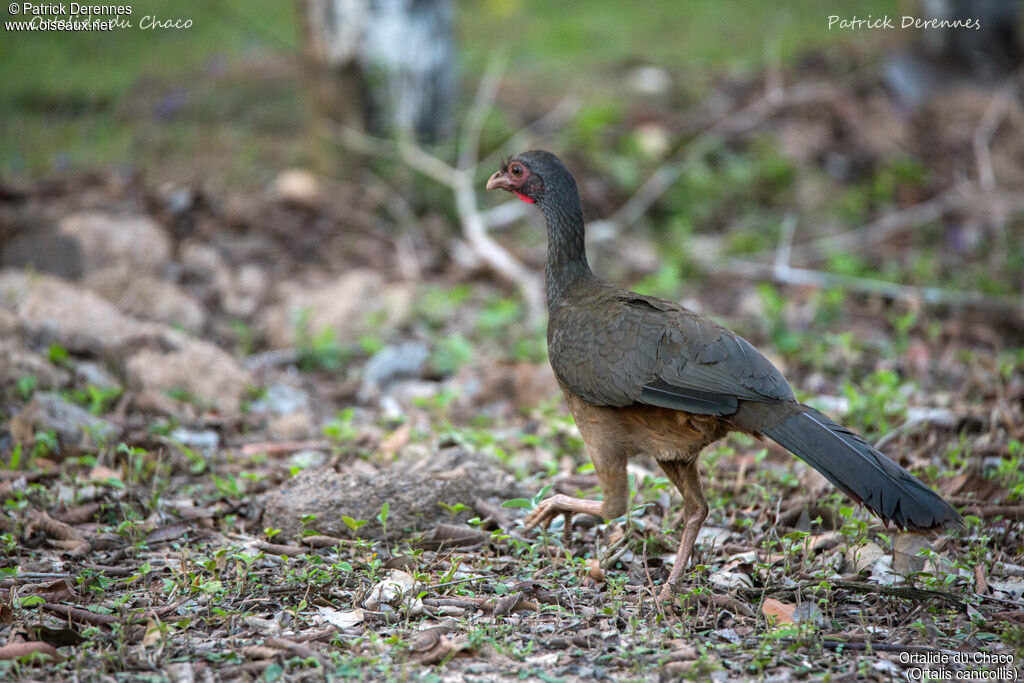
(279, 436)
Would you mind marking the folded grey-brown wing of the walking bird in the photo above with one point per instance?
(624, 349)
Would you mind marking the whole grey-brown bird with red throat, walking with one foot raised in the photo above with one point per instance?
(643, 375)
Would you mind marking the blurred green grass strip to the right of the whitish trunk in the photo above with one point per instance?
(581, 41)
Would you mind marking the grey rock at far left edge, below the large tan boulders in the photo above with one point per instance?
(73, 425)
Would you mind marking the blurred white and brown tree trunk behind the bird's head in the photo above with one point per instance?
(383, 66)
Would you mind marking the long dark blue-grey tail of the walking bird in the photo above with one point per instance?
(862, 473)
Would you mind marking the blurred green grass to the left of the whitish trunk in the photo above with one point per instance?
(133, 97)
